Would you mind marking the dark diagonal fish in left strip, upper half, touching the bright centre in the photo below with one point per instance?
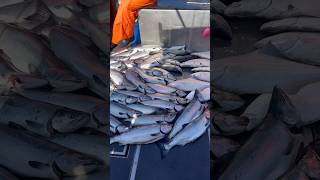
(81, 60)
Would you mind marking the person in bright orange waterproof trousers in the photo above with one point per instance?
(123, 26)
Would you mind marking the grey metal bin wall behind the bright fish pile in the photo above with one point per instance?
(175, 27)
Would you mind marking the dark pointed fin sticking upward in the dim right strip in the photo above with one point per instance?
(282, 108)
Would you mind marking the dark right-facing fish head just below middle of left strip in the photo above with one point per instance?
(66, 121)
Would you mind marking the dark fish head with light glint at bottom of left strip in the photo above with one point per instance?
(71, 163)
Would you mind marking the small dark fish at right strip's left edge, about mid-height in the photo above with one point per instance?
(227, 101)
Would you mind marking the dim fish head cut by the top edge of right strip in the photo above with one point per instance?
(247, 8)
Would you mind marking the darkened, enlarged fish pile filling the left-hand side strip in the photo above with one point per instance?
(53, 89)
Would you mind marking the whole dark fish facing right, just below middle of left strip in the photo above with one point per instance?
(40, 118)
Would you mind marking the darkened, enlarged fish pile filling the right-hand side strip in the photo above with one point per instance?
(266, 118)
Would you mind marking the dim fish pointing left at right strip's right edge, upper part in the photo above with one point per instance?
(297, 46)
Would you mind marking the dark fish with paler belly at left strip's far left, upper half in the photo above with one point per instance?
(30, 55)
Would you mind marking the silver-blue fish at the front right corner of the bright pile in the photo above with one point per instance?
(191, 132)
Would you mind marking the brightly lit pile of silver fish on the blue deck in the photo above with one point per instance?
(152, 98)
